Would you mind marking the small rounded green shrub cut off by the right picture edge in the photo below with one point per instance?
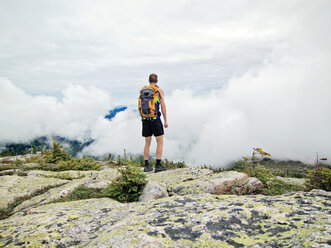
(319, 178)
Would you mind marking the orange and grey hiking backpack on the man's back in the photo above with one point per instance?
(148, 103)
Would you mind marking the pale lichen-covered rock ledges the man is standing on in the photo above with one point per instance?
(178, 208)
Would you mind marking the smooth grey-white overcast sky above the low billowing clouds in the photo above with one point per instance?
(46, 46)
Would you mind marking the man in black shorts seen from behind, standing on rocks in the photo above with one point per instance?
(153, 125)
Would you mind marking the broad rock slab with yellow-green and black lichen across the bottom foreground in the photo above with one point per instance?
(204, 220)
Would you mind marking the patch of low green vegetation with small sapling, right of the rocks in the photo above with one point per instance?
(259, 165)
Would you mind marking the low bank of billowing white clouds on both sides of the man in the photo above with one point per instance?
(276, 107)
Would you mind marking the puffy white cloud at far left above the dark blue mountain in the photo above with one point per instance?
(24, 117)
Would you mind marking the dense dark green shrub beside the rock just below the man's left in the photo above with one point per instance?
(128, 186)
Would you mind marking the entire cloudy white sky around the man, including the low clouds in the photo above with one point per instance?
(248, 73)
